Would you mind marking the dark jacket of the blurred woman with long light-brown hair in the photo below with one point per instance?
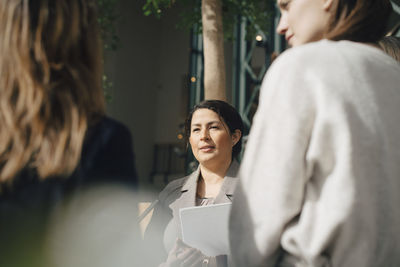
(107, 157)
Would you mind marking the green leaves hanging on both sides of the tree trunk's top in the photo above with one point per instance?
(257, 12)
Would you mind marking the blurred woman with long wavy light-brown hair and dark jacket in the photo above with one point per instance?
(54, 134)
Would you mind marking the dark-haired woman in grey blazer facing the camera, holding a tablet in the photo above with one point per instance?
(214, 131)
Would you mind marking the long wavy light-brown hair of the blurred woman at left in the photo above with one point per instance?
(50, 84)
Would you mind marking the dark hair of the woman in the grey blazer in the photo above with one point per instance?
(226, 112)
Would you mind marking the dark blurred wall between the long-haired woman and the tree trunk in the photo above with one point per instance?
(150, 73)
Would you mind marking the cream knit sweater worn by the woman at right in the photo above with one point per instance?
(320, 179)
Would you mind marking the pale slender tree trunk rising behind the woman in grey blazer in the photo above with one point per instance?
(214, 59)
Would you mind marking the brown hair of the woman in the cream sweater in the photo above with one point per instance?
(359, 20)
